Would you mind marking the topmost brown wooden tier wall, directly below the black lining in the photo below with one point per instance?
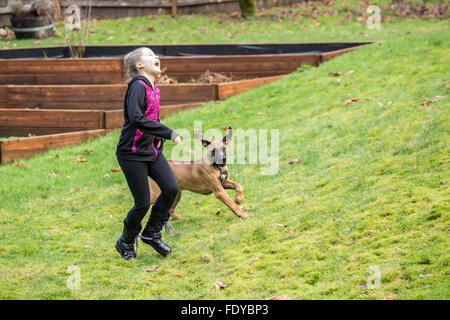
(111, 70)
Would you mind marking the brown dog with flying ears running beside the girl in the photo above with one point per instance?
(205, 176)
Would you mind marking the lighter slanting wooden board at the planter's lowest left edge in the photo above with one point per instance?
(21, 148)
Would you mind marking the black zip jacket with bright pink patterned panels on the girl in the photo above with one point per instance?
(141, 129)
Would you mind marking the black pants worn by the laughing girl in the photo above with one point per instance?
(136, 174)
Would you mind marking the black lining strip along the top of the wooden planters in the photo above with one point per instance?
(180, 50)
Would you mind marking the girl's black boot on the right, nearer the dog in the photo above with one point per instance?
(151, 234)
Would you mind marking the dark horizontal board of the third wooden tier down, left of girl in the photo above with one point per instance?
(87, 119)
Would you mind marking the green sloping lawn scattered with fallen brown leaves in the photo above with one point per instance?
(375, 171)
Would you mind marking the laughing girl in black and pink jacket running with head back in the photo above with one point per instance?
(139, 153)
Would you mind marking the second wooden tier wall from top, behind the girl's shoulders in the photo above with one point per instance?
(110, 97)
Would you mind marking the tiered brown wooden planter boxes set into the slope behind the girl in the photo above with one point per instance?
(89, 95)
